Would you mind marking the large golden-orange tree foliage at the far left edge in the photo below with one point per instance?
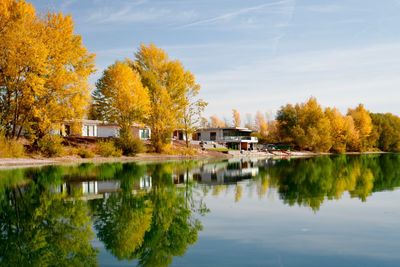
(43, 70)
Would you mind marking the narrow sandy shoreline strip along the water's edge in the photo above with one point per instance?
(10, 163)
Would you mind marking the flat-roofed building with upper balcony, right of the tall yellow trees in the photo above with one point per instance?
(231, 137)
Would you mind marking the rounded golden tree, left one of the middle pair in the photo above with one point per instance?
(120, 97)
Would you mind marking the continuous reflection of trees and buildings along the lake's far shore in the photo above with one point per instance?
(152, 213)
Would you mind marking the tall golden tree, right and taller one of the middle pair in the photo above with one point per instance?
(168, 84)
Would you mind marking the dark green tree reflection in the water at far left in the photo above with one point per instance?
(39, 229)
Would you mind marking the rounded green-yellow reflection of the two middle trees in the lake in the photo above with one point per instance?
(152, 226)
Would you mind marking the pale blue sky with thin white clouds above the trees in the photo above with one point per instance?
(256, 55)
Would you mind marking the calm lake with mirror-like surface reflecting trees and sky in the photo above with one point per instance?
(320, 211)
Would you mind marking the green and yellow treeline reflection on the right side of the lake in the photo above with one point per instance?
(310, 182)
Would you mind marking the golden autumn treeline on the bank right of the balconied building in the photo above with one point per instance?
(307, 126)
